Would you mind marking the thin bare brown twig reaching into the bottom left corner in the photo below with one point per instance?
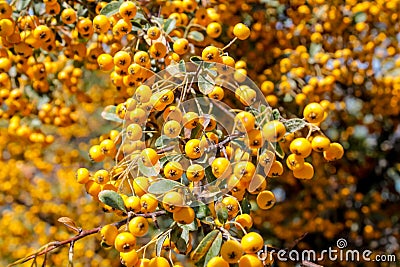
(82, 233)
